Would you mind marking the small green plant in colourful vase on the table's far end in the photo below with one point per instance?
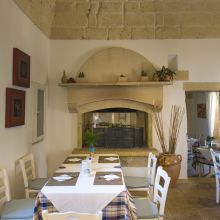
(90, 140)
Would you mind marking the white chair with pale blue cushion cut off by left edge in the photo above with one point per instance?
(13, 209)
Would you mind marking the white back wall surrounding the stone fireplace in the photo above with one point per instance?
(200, 57)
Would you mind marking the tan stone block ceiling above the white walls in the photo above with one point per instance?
(124, 19)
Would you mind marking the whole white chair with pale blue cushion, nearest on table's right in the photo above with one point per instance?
(154, 208)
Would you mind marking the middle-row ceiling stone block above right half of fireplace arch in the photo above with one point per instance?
(139, 19)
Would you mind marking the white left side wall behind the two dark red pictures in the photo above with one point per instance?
(16, 30)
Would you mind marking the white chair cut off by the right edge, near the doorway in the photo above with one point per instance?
(216, 162)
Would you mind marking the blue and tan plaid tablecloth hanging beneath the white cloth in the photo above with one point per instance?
(121, 207)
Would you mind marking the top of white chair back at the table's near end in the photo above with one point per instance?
(71, 216)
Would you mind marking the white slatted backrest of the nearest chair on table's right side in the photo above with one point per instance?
(161, 186)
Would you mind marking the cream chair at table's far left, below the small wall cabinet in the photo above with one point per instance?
(32, 184)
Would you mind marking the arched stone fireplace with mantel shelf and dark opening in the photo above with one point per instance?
(102, 91)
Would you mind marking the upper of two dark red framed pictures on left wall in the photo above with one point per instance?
(21, 68)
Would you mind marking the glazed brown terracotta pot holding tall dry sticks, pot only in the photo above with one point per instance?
(172, 164)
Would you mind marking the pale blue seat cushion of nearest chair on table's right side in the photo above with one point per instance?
(146, 209)
